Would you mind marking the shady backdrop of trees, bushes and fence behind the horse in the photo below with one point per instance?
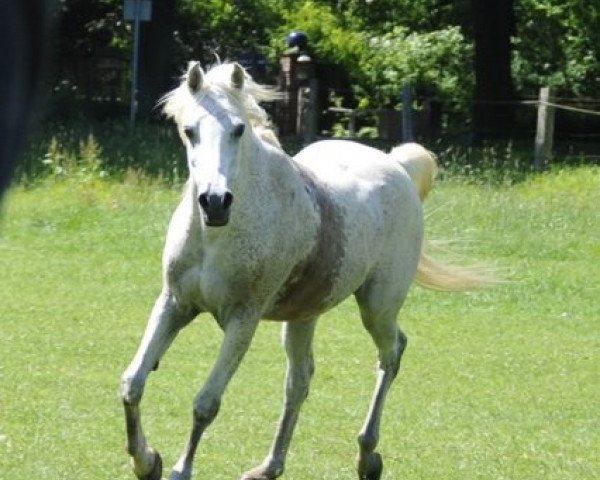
(458, 76)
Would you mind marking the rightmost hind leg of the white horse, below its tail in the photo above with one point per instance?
(390, 342)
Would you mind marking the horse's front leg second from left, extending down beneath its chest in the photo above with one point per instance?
(239, 332)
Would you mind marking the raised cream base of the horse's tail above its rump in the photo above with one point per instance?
(419, 163)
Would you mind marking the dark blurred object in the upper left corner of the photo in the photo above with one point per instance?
(24, 25)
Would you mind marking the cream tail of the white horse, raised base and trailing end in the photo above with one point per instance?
(421, 166)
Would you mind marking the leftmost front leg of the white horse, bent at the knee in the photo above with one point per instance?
(164, 323)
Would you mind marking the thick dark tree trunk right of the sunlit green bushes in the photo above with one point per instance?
(493, 24)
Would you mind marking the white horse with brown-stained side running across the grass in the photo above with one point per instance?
(260, 235)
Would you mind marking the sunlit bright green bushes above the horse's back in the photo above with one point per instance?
(381, 61)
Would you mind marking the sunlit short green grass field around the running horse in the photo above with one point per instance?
(499, 384)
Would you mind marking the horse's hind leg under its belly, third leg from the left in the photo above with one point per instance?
(297, 340)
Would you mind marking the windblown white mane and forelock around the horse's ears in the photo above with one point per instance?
(247, 99)
